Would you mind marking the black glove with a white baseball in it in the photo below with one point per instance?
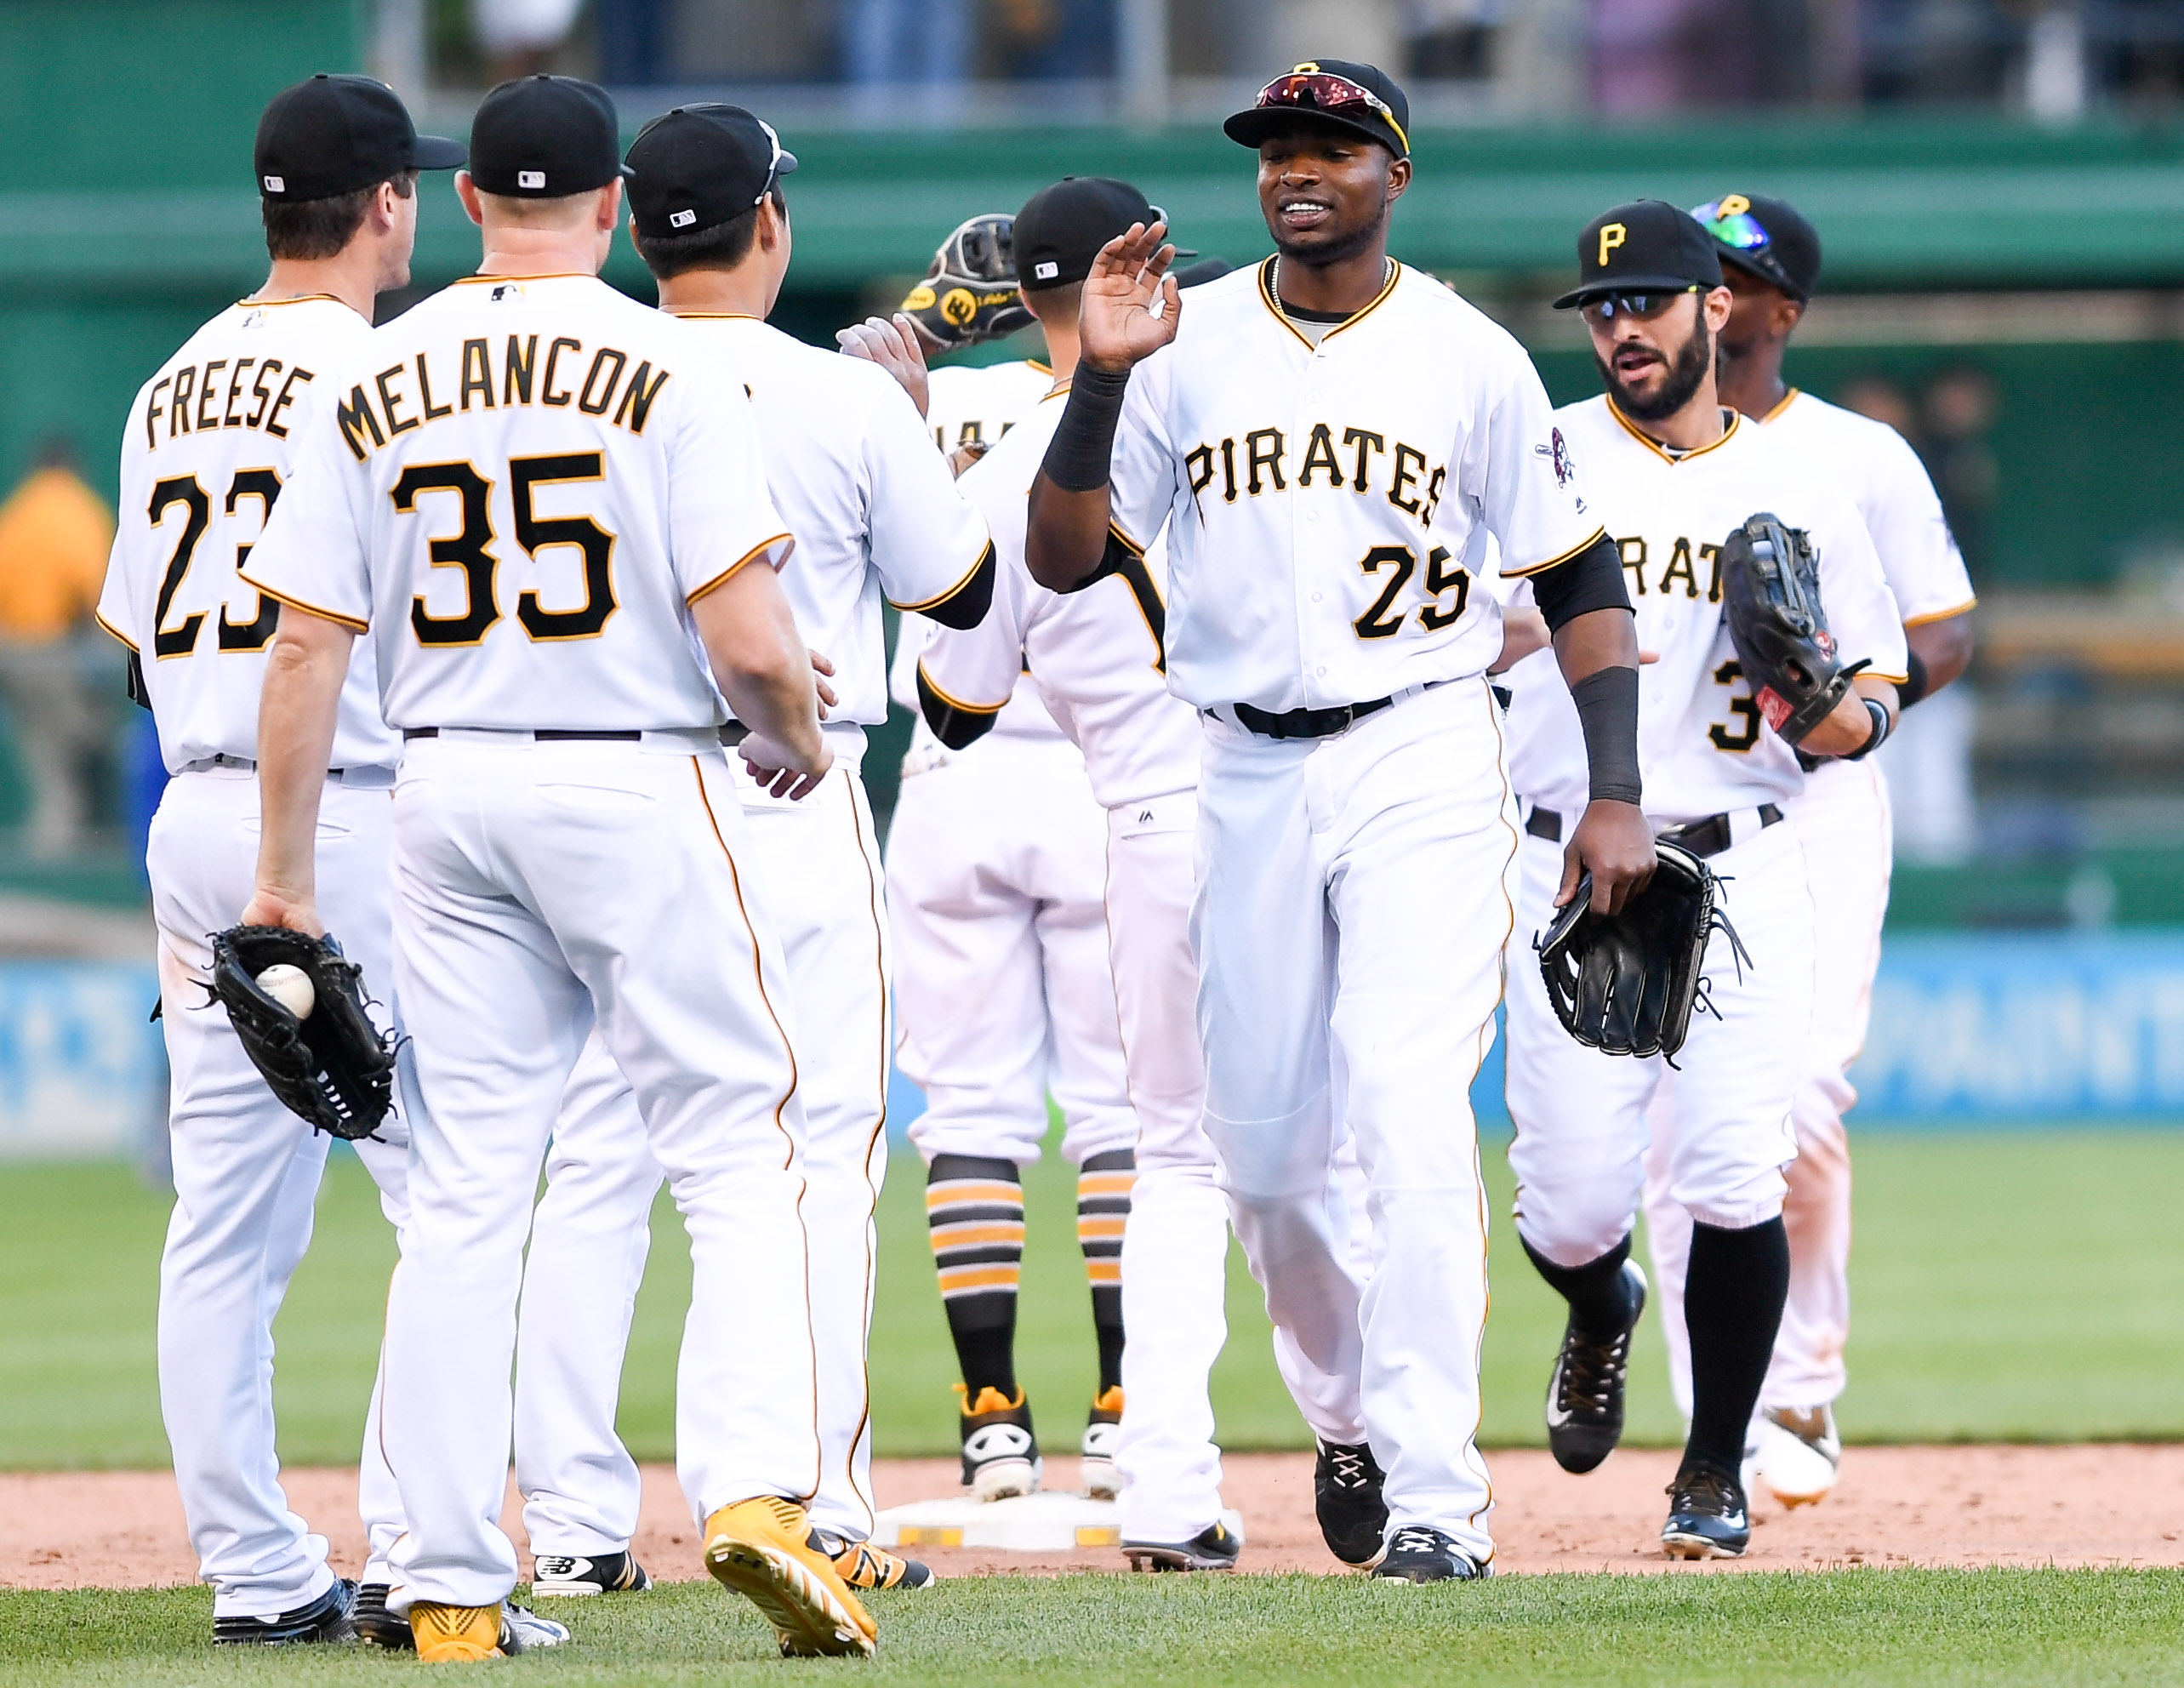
(333, 1067)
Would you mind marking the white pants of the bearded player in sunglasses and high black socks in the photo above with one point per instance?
(1582, 1117)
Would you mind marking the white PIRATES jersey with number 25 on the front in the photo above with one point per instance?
(1333, 501)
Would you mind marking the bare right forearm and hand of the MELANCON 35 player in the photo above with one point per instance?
(765, 674)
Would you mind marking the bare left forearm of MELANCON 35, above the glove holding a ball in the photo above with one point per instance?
(296, 741)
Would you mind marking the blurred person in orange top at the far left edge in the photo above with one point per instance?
(54, 558)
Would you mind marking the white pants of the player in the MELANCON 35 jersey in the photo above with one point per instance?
(541, 890)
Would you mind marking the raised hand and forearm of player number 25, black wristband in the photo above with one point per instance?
(1117, 329)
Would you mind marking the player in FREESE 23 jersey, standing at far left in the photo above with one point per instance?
(206, 457)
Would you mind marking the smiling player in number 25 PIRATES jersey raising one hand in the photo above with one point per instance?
(1336, 440)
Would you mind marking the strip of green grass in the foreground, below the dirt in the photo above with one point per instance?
(1840, 1628)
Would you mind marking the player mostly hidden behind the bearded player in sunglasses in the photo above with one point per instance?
(1770, 261)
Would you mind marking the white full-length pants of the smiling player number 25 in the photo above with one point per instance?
(1353, 901)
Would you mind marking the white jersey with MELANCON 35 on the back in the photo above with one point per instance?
(521, 514)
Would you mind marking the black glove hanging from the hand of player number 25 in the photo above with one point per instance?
(1626, 984)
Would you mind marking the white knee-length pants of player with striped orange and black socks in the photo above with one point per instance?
(1004, 995)
